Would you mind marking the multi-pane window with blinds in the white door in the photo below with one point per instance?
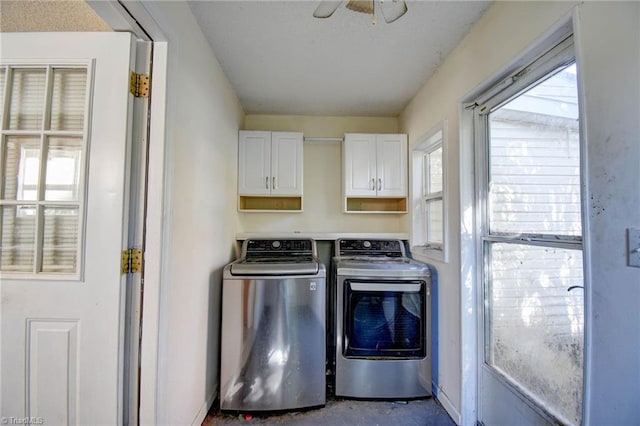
(42, 160)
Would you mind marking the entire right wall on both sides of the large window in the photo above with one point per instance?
(608, 44)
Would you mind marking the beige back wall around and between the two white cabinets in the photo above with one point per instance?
(322, 178)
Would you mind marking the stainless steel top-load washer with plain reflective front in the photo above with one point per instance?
(273, 327)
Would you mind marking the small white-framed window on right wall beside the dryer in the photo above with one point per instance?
(429, 189)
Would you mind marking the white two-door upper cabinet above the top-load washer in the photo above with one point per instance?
(270, 163)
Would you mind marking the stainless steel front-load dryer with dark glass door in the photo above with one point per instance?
(383, 327)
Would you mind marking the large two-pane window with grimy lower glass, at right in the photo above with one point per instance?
(529, 173)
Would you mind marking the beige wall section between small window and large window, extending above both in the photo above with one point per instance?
(503, 33)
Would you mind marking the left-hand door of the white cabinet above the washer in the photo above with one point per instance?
(254, 163)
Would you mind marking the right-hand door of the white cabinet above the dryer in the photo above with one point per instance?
(391, 180)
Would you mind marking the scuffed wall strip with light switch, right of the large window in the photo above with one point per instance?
(608, 43)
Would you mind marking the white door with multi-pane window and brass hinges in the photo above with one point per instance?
(64, 205)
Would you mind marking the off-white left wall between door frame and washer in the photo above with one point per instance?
(200, 221)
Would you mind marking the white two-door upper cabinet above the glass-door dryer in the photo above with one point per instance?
(375, 165)
